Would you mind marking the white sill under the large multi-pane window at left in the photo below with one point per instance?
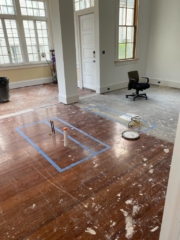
(23, 65)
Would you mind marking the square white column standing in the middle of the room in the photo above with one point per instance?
(62, 17)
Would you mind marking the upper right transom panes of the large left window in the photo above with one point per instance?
(32, 8)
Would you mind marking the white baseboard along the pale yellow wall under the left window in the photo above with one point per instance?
(30, 82)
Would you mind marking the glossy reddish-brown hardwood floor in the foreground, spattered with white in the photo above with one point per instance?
(118, 193)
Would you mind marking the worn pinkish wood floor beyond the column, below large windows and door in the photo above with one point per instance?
(34, 97)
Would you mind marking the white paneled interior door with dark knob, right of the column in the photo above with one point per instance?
(88, 51)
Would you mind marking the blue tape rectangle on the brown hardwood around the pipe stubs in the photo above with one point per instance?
(93, 154)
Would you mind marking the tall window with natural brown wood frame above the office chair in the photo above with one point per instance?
(127, 29)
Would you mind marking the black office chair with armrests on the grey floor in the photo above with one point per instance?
(134, 84)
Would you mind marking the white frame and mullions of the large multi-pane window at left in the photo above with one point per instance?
(18, 17)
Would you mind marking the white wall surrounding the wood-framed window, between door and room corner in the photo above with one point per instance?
(112, 74)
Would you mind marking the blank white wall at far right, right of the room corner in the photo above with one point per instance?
(164, 50)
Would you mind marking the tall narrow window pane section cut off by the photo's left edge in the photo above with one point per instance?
(4, 57)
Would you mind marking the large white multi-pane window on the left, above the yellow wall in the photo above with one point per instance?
(23, 37)
